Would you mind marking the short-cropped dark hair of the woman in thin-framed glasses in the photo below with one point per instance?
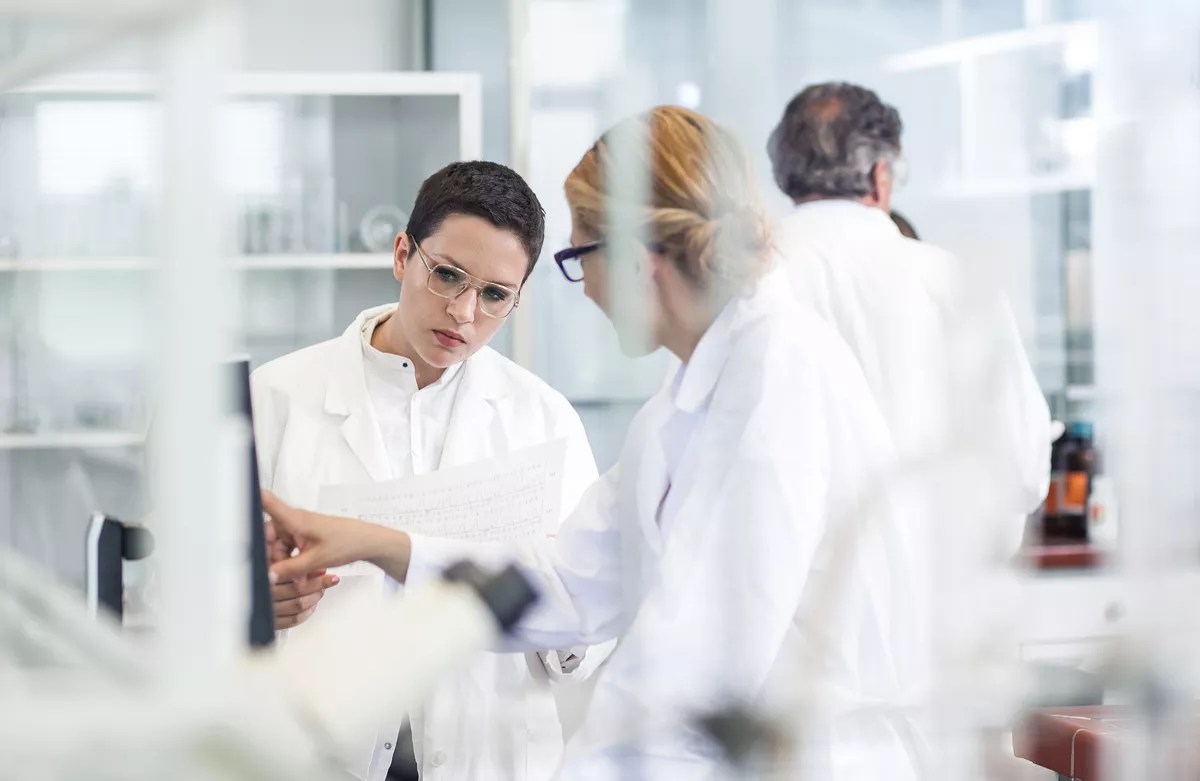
(481, 189)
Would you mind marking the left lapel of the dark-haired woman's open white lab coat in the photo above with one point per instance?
(347, 395)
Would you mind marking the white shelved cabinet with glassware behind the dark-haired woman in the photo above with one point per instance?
(319, 171)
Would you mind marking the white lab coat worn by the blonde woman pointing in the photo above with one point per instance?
(712, 576)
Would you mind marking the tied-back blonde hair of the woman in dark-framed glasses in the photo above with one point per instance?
(704, 209)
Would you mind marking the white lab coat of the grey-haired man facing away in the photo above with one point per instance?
(938, 344)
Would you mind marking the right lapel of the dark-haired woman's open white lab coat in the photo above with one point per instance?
(470, 435)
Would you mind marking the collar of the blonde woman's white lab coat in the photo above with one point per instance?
(697, 380)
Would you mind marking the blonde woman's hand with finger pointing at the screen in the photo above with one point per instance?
(327, 542)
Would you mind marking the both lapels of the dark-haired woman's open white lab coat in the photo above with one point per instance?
(346, 395)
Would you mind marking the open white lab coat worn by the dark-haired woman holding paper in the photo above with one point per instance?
(315, 426)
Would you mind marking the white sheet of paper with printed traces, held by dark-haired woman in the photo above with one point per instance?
(513, 497)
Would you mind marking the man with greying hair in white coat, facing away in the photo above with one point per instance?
(933, 333)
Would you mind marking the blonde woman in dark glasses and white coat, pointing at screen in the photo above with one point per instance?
(701, 546)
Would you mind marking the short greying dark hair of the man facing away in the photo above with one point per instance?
(830, 141)
